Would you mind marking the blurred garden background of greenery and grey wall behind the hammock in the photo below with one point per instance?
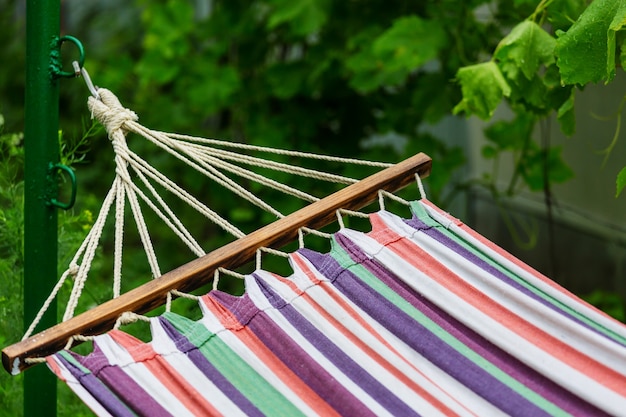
(372, 79)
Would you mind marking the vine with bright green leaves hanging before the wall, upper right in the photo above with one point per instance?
(536, 73)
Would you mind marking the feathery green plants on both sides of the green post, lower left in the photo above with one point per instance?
(72, 229)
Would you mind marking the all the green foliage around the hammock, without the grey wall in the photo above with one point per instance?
(311, 75)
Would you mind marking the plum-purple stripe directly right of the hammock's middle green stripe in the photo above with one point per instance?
(499, 358)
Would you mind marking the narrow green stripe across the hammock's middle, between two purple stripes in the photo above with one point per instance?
(343, 258)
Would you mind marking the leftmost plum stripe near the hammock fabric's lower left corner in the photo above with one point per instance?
(122, 384)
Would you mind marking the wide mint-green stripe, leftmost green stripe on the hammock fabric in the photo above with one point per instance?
(253, 386)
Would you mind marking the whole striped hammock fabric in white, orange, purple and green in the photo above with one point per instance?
(420, 316)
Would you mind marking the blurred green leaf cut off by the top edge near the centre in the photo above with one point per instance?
(303, 17)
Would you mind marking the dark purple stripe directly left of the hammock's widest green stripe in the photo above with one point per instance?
(202, 363)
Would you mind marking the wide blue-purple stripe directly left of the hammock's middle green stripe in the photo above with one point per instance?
(417, 336)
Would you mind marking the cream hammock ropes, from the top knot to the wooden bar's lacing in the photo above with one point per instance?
(207, 156)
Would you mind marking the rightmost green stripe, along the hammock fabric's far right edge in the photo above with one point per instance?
(421, 213)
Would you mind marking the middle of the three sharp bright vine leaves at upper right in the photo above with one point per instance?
(528, 46)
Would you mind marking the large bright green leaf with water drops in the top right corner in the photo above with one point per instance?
(586, 52)
